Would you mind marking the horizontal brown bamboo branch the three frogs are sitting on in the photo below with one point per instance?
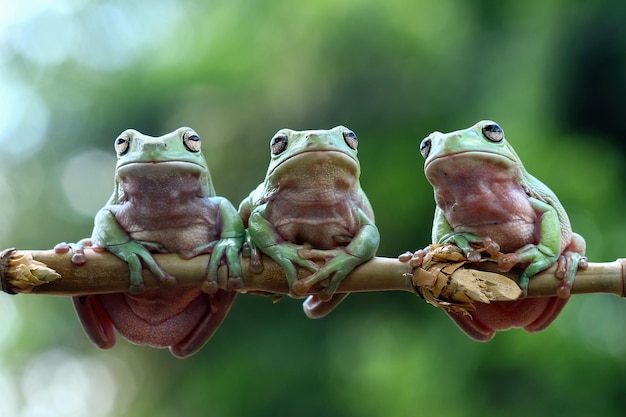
(47, 272)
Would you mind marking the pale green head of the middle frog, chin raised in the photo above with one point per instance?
(294, 152)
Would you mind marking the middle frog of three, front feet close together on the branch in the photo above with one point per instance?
(311, 206)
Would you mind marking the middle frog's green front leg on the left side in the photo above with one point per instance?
(285, 254)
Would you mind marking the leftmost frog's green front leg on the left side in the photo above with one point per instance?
(109, 234)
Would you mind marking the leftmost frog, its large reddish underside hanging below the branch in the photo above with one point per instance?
(163, 202)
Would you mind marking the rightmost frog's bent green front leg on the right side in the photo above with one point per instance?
(541, 255)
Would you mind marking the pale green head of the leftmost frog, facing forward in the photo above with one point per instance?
(145, 157)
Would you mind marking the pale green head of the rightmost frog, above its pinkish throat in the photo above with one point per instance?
(483, 142)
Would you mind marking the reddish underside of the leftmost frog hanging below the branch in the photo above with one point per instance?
(154, 319)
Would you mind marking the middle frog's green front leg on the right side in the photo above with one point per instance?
(342, 260)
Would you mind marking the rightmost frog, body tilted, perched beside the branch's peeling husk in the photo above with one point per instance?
(488, 203)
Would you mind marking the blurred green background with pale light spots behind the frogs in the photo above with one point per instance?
(75, 73)
